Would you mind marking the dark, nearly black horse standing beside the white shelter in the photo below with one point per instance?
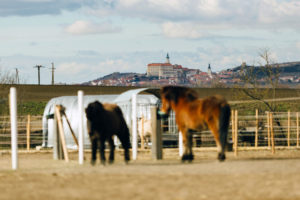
(104, 121)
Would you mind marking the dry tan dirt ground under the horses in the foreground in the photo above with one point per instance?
(251, 175)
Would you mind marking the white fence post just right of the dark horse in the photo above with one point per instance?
(134, 127)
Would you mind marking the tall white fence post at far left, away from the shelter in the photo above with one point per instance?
(14, 127)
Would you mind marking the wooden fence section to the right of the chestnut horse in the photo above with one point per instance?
(267, 130)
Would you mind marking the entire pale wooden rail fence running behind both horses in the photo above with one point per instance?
(261, 130)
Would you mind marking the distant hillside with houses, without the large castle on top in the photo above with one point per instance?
(289, 75)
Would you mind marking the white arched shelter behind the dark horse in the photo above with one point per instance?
(132, 104)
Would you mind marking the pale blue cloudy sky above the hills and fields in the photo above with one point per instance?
(87, 39)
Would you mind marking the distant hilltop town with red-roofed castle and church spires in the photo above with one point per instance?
(158, 74)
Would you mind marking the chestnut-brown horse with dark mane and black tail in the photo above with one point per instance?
(193, 113)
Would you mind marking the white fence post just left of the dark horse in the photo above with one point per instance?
(80, 133)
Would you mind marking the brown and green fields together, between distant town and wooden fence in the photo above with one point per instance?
(33, 98)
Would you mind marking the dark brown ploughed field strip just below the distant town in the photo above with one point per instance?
(46, 92)
